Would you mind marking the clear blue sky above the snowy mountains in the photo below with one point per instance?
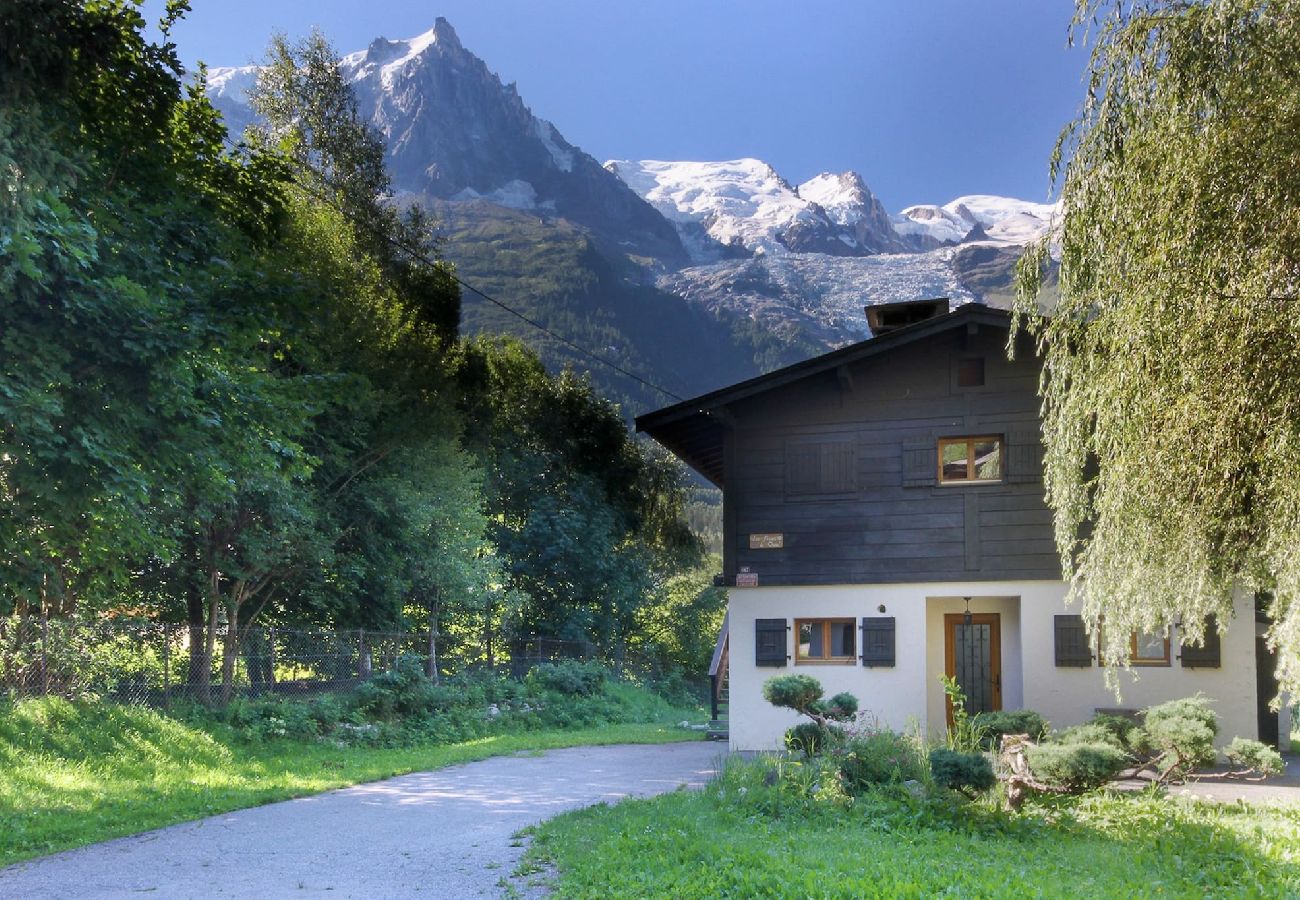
(926, 99)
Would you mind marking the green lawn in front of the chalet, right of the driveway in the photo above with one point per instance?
(723, 843)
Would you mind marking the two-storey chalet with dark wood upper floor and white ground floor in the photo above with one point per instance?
(885, 523)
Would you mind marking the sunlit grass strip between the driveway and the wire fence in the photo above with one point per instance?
(73, 774)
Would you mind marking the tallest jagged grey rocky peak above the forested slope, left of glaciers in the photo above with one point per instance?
(456, 133)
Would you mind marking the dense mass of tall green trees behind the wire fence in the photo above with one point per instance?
(235, 390)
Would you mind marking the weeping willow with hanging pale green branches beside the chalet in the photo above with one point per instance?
(1172, 365)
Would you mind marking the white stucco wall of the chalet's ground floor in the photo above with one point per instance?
(909, 695)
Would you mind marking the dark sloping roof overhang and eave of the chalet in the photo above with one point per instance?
(695, 430)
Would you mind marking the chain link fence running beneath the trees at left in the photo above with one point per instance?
(154, 664)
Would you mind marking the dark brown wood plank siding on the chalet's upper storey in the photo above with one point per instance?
(887, 520)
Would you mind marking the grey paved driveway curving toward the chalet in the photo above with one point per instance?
(439, 834)
